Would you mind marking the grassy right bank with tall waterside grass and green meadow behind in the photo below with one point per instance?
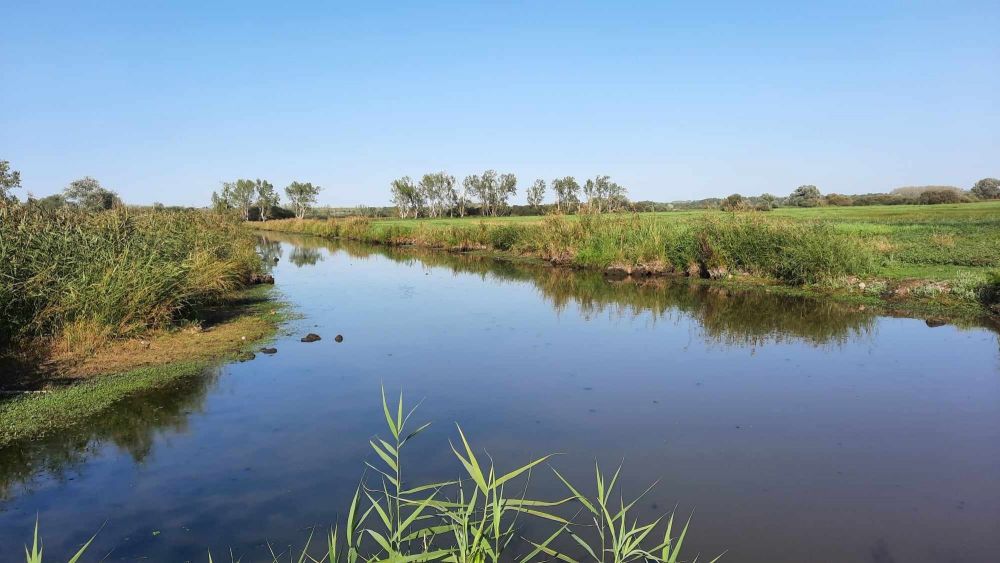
(942, 257)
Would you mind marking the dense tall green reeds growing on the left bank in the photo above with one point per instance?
(87, 277)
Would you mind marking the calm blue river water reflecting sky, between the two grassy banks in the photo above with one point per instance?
(795, 430)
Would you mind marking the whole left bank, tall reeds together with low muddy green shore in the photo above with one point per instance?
(96, 307)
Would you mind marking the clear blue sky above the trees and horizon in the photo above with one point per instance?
(162, 102)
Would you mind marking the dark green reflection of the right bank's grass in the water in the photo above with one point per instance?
(726, 316)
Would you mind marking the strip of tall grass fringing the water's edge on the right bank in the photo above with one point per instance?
(794, 252)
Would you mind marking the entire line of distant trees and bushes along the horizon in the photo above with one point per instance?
(438, 194)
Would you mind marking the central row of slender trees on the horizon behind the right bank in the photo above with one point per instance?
(438, 194)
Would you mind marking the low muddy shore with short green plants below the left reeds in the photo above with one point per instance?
(67, 393)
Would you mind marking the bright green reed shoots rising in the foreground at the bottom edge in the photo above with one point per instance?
(479, 517)
